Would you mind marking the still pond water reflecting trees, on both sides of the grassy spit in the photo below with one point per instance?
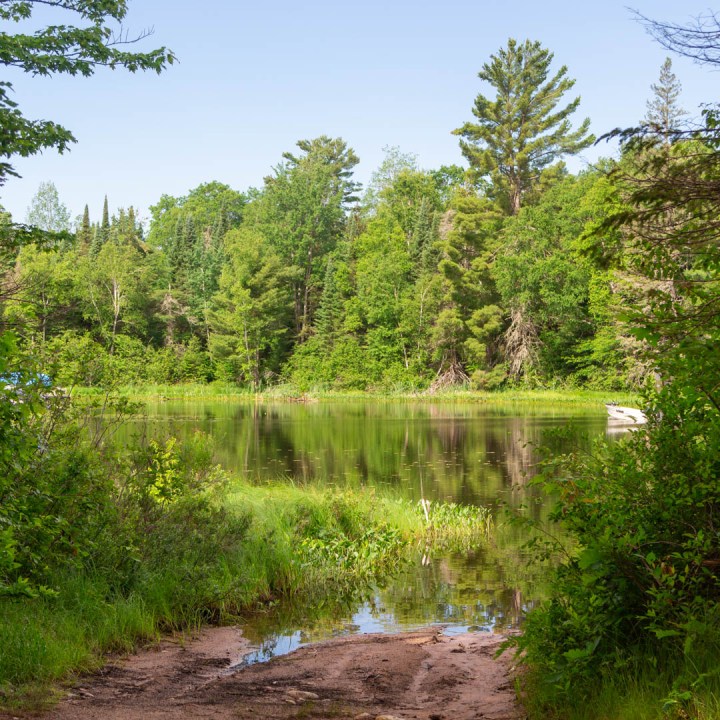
(465, 452)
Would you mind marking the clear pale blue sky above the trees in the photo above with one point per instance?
(253, 78)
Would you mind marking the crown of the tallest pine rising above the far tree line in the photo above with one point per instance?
(522, 130)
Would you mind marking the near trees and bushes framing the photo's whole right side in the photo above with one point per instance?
(640, 587)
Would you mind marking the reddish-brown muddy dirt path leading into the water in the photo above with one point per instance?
(423, 675)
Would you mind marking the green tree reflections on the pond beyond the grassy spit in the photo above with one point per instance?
(464, 452)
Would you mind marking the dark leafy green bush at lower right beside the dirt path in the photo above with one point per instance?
(641, 586)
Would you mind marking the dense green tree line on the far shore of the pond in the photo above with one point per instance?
(428, 279)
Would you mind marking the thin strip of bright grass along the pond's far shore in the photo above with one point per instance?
(226, 392)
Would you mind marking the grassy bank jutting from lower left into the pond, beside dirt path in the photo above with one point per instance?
(239, 552)
